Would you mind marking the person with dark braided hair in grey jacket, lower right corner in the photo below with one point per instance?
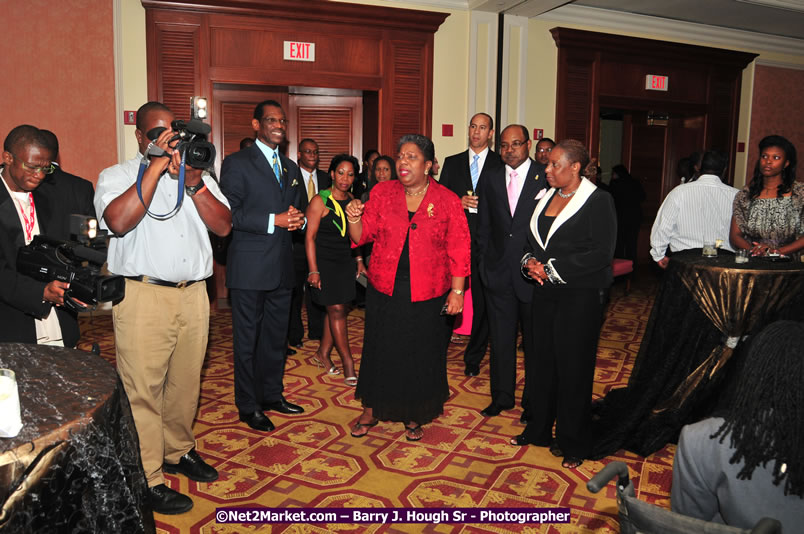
(749, 463)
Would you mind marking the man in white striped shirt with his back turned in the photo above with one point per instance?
(694, 213)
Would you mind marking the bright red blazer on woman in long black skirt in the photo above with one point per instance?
(439, 241)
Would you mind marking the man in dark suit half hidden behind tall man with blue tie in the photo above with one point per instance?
(314, 181)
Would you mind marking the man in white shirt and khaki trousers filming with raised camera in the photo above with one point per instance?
(162, 324)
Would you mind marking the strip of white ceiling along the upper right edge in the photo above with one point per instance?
(782, 18)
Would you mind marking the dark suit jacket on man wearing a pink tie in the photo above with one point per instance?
(501, 237)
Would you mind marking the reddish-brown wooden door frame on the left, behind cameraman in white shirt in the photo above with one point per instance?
(240, 42)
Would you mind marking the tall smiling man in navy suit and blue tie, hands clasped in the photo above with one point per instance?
(263, 187)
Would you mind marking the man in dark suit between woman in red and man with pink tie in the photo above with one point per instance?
(464, 174)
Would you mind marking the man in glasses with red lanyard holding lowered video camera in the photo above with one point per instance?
(32, 311)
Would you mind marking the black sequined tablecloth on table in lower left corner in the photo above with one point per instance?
(75, 465)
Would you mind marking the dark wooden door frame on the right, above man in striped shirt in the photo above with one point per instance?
(597, 67)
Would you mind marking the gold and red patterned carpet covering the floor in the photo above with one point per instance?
(464, 459)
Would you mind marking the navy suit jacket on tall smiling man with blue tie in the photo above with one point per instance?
(258, 260)
